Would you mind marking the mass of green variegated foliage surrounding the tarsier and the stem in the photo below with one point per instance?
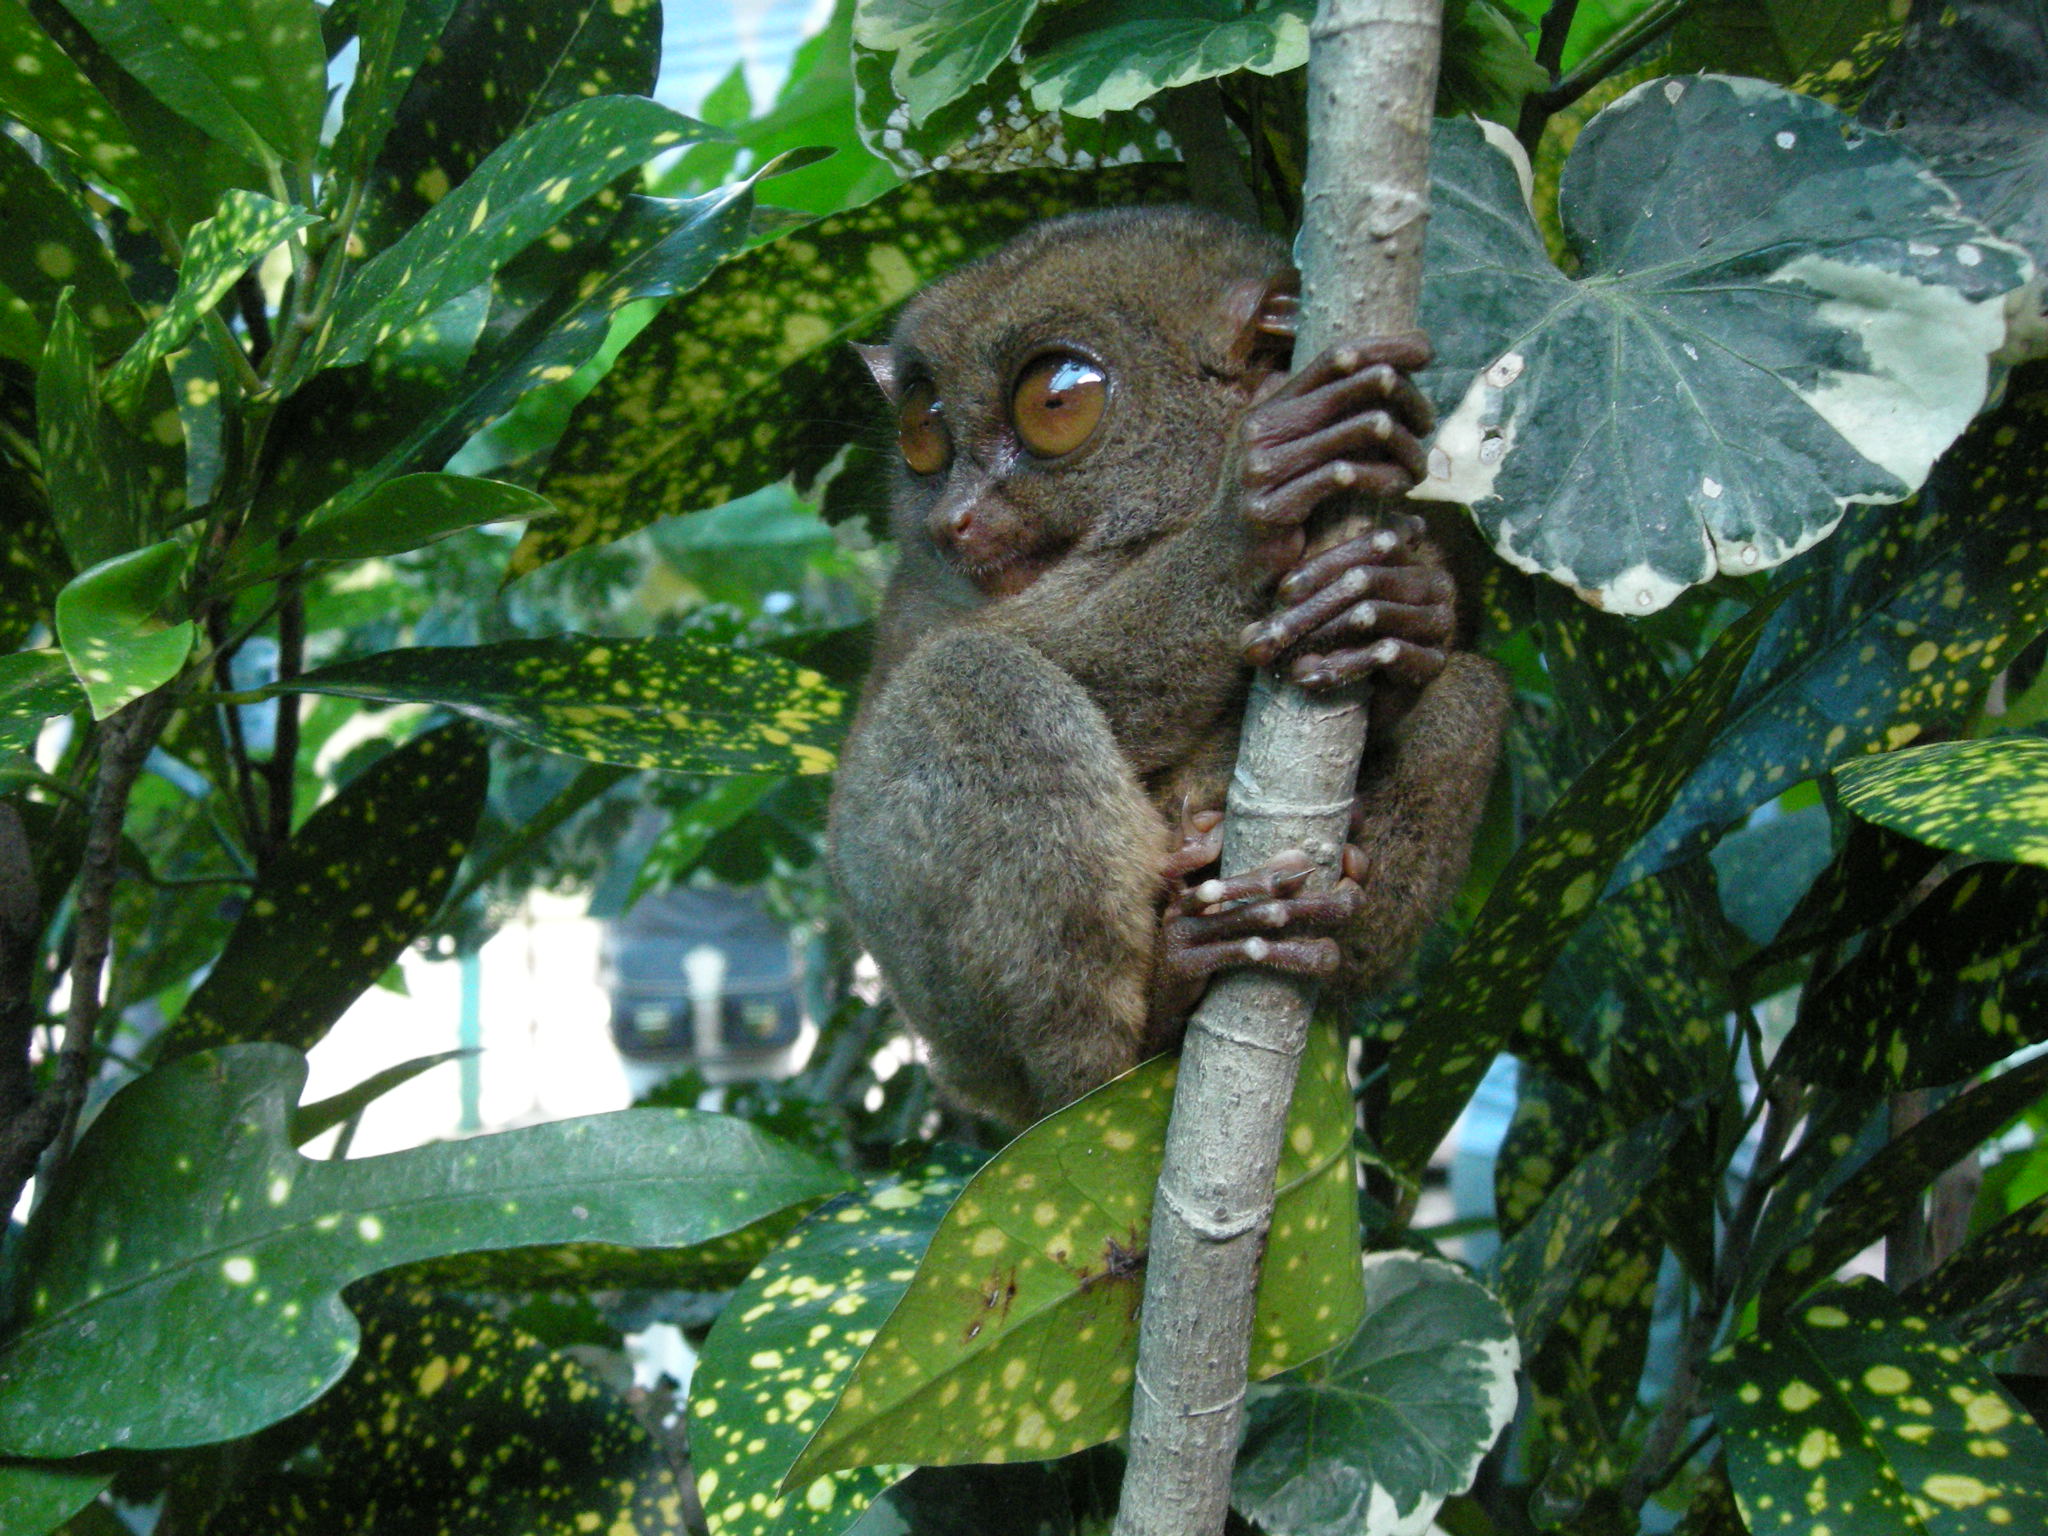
(290, 398)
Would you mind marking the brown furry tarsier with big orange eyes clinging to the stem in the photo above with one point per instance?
(1101, 509)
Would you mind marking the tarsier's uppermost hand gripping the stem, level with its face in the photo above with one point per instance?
(1349, 421)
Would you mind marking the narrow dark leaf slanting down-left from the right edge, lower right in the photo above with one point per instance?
(1871, 1199)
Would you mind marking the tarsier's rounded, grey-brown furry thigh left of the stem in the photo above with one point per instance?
(1005, 867)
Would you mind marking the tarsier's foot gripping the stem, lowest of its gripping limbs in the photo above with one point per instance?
(1256, 919)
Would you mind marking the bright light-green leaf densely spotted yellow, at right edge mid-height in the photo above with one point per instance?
(1986, 800)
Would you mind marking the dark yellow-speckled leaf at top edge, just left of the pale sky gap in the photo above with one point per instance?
(497, 69)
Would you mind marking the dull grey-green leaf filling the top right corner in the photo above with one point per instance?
(1967, 89)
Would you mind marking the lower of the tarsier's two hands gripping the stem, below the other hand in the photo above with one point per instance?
(1365, 609)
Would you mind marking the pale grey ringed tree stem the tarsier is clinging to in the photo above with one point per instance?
(1367, 202)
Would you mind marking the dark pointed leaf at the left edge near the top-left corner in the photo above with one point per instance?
(56, 249)
